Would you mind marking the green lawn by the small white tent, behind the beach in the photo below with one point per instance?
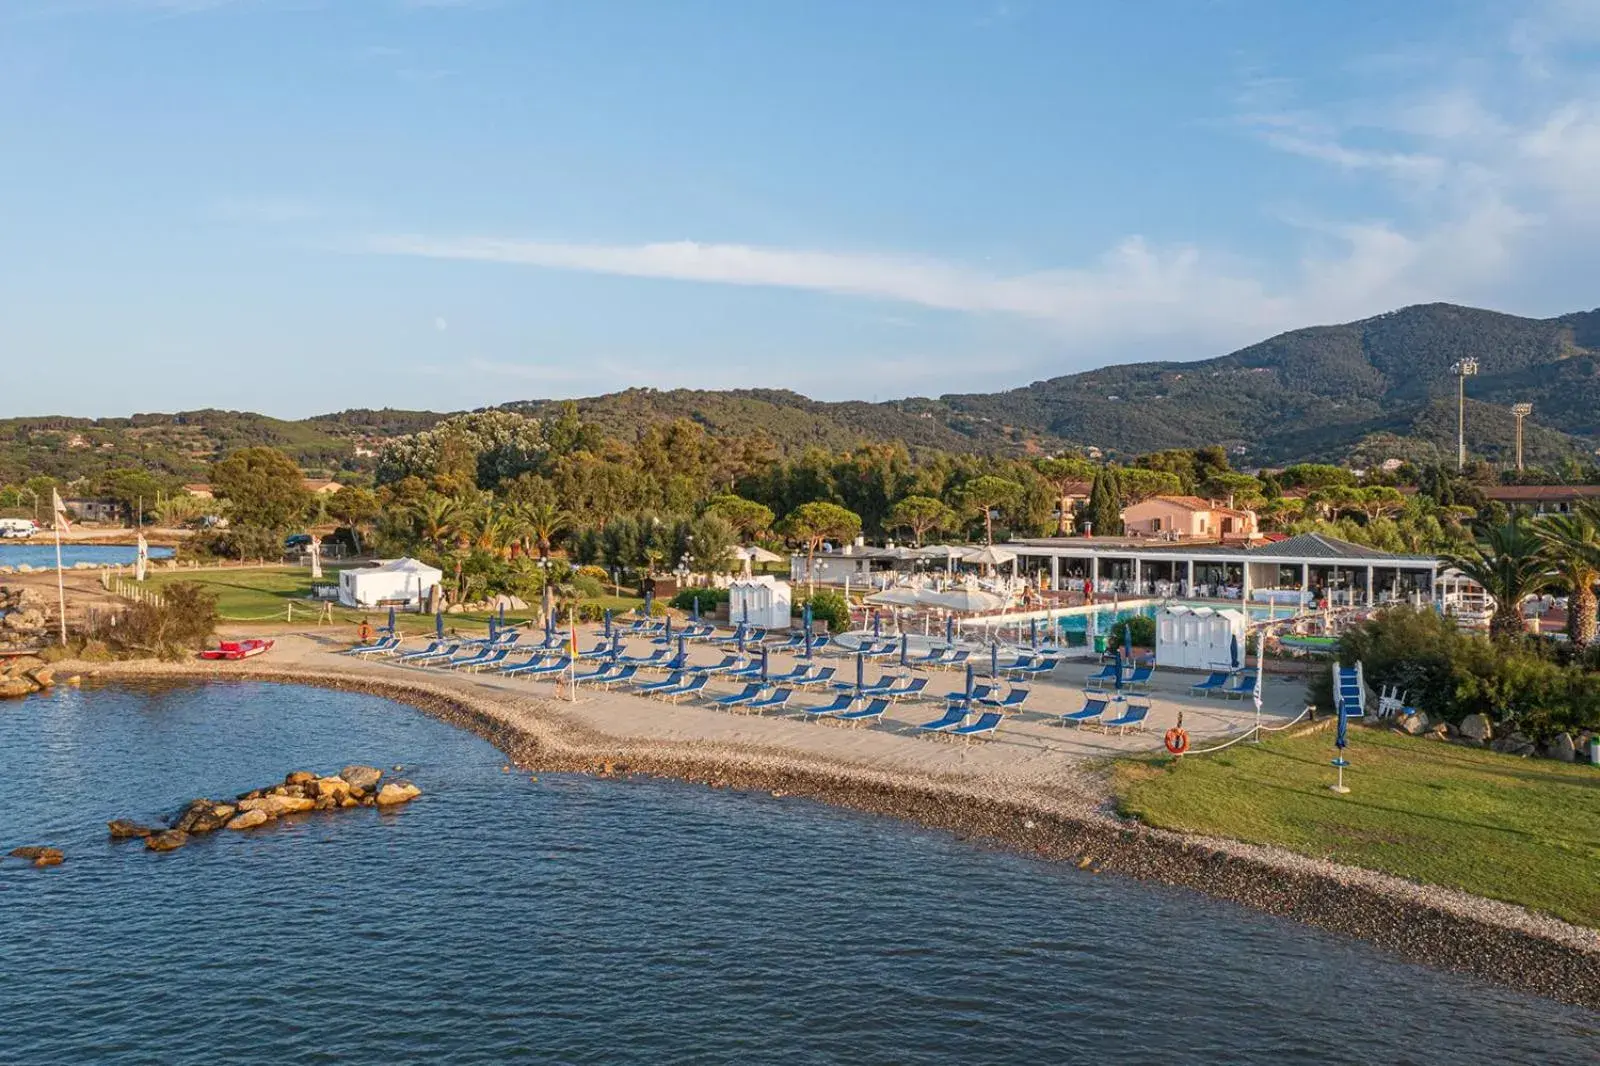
(265, 596)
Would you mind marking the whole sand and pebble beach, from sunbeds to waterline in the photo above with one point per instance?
(1038, 788)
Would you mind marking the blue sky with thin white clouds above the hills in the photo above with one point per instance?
(303, 206)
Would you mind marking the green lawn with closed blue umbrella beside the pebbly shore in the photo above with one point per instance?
(1518, 830)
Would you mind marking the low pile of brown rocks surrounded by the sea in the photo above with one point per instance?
(300, 791)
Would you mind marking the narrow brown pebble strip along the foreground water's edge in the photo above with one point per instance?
(1426, 924)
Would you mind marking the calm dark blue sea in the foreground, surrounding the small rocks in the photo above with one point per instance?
(580, 921)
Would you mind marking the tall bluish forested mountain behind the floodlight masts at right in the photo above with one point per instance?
(1327, 393)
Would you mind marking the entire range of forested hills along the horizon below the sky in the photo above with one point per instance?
(1366, 391)
